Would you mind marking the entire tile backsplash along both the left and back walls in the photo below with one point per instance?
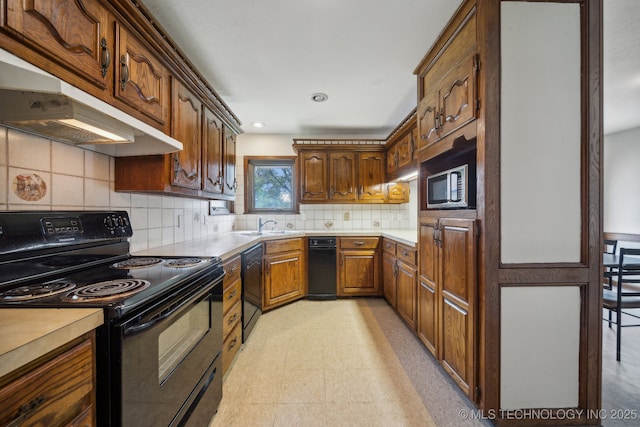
(38, 174)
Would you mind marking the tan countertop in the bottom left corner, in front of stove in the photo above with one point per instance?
(28, 333)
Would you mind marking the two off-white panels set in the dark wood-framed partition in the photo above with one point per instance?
(540, 187)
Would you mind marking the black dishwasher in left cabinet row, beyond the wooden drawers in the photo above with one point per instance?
(251, 288)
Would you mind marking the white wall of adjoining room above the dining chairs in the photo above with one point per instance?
(620, 174)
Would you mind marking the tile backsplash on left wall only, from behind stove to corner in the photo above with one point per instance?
(38, 174)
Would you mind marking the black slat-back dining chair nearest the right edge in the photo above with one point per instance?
(624, 297)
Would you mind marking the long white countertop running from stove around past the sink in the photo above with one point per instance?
(226, 245)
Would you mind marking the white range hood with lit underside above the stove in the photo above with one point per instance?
(36, 102)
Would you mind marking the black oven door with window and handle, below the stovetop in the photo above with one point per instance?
(168, 354)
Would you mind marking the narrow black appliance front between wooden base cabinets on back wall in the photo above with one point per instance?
(322, 268)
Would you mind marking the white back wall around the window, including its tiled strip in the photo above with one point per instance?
(319, 217)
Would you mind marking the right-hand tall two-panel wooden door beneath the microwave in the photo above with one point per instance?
(458, 296)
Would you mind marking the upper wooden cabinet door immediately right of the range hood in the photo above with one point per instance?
(186, 124)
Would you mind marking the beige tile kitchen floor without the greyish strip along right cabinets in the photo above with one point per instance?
(320, 363)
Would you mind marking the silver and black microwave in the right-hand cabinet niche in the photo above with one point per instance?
(449, 189)
